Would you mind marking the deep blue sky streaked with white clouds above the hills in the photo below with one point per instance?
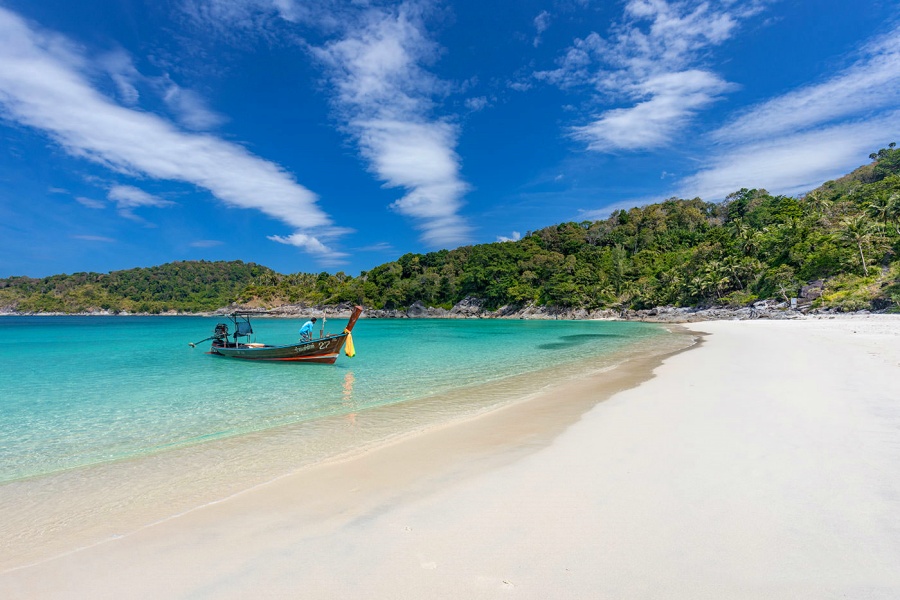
(337, 135)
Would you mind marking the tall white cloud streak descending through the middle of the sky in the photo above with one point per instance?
(384, 97)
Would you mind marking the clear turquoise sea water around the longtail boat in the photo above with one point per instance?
(77, 391)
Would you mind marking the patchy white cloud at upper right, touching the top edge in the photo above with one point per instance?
(652, 62)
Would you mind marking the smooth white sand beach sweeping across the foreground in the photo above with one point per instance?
(764, 463)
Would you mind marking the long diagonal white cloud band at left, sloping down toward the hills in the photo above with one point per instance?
(43, 84)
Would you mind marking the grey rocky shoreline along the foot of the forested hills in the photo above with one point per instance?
(473, 308)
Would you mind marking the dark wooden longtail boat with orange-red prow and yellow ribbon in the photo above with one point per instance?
(324, 349)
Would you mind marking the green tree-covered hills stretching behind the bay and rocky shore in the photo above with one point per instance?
(843, 237)
